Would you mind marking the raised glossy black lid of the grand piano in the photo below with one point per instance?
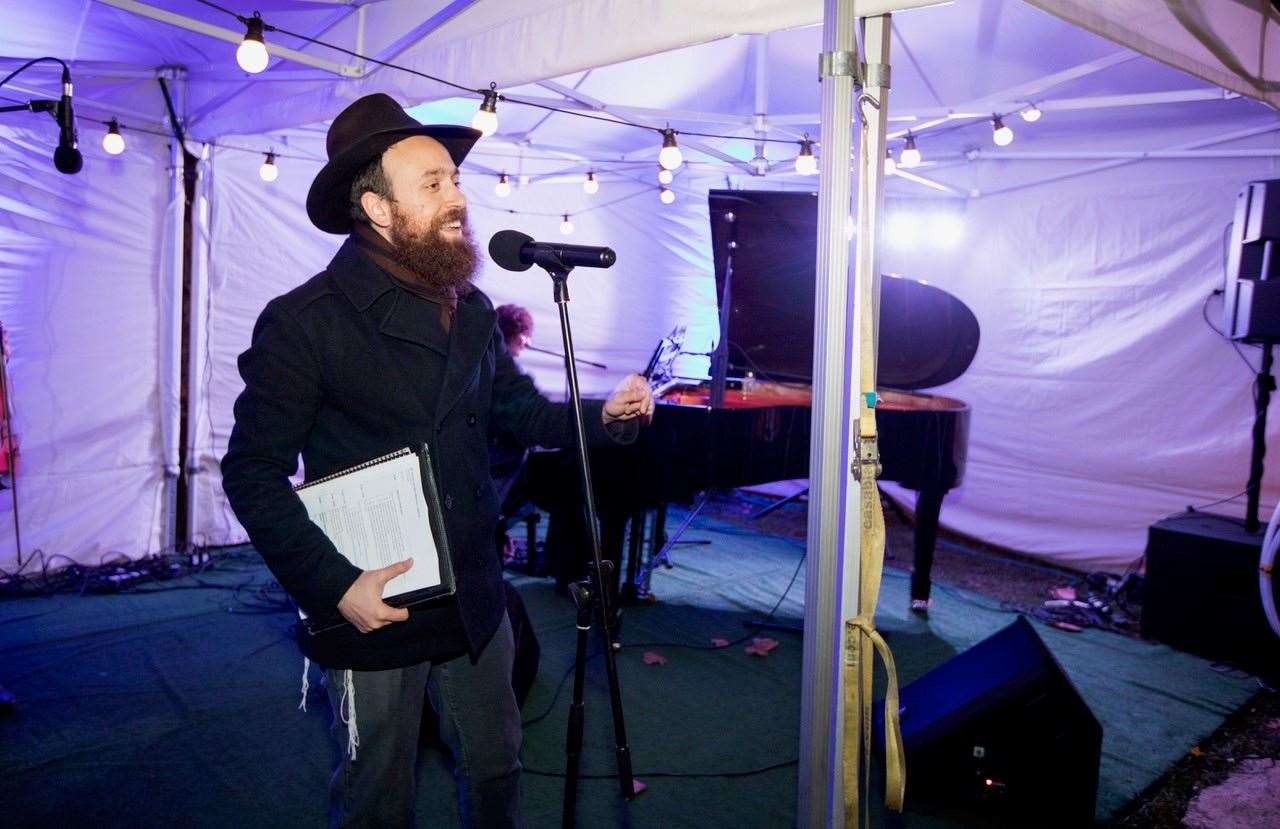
(927, 337)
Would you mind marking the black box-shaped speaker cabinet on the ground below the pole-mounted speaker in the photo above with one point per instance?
(1201, 593)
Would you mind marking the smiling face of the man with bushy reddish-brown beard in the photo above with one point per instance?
(428, 227)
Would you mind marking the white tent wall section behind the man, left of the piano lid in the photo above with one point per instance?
(262, 245)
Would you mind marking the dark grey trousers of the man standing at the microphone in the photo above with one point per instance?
(479, 723)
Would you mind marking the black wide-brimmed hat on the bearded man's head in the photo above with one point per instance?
(362, 134)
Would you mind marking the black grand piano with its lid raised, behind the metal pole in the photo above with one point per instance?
(756, 429)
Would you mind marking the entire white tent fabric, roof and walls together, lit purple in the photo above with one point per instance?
(1087, 249)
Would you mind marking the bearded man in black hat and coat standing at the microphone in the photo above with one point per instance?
(390, 347)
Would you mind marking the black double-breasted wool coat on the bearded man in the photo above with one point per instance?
(351, 367)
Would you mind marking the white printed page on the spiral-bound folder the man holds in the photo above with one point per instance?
(378, 516)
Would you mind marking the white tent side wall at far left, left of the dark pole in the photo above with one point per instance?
(83, 299)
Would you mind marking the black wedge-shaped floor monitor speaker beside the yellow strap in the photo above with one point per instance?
(999, 736)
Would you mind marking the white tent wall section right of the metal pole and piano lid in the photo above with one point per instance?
(1101, 400)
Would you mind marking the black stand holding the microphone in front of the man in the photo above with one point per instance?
(591, 597)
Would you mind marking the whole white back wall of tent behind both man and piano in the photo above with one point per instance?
(1089, 290)
